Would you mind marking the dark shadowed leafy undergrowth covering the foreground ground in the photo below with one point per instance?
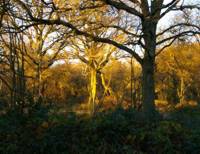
(117, 131)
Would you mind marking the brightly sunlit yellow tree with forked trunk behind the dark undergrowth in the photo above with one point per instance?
(95, 56)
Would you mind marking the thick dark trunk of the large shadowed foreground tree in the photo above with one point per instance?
(148, 87)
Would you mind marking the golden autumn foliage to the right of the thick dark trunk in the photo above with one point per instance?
(177, 73)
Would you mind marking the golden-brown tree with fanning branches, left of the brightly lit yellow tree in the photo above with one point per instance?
(42, 50)
